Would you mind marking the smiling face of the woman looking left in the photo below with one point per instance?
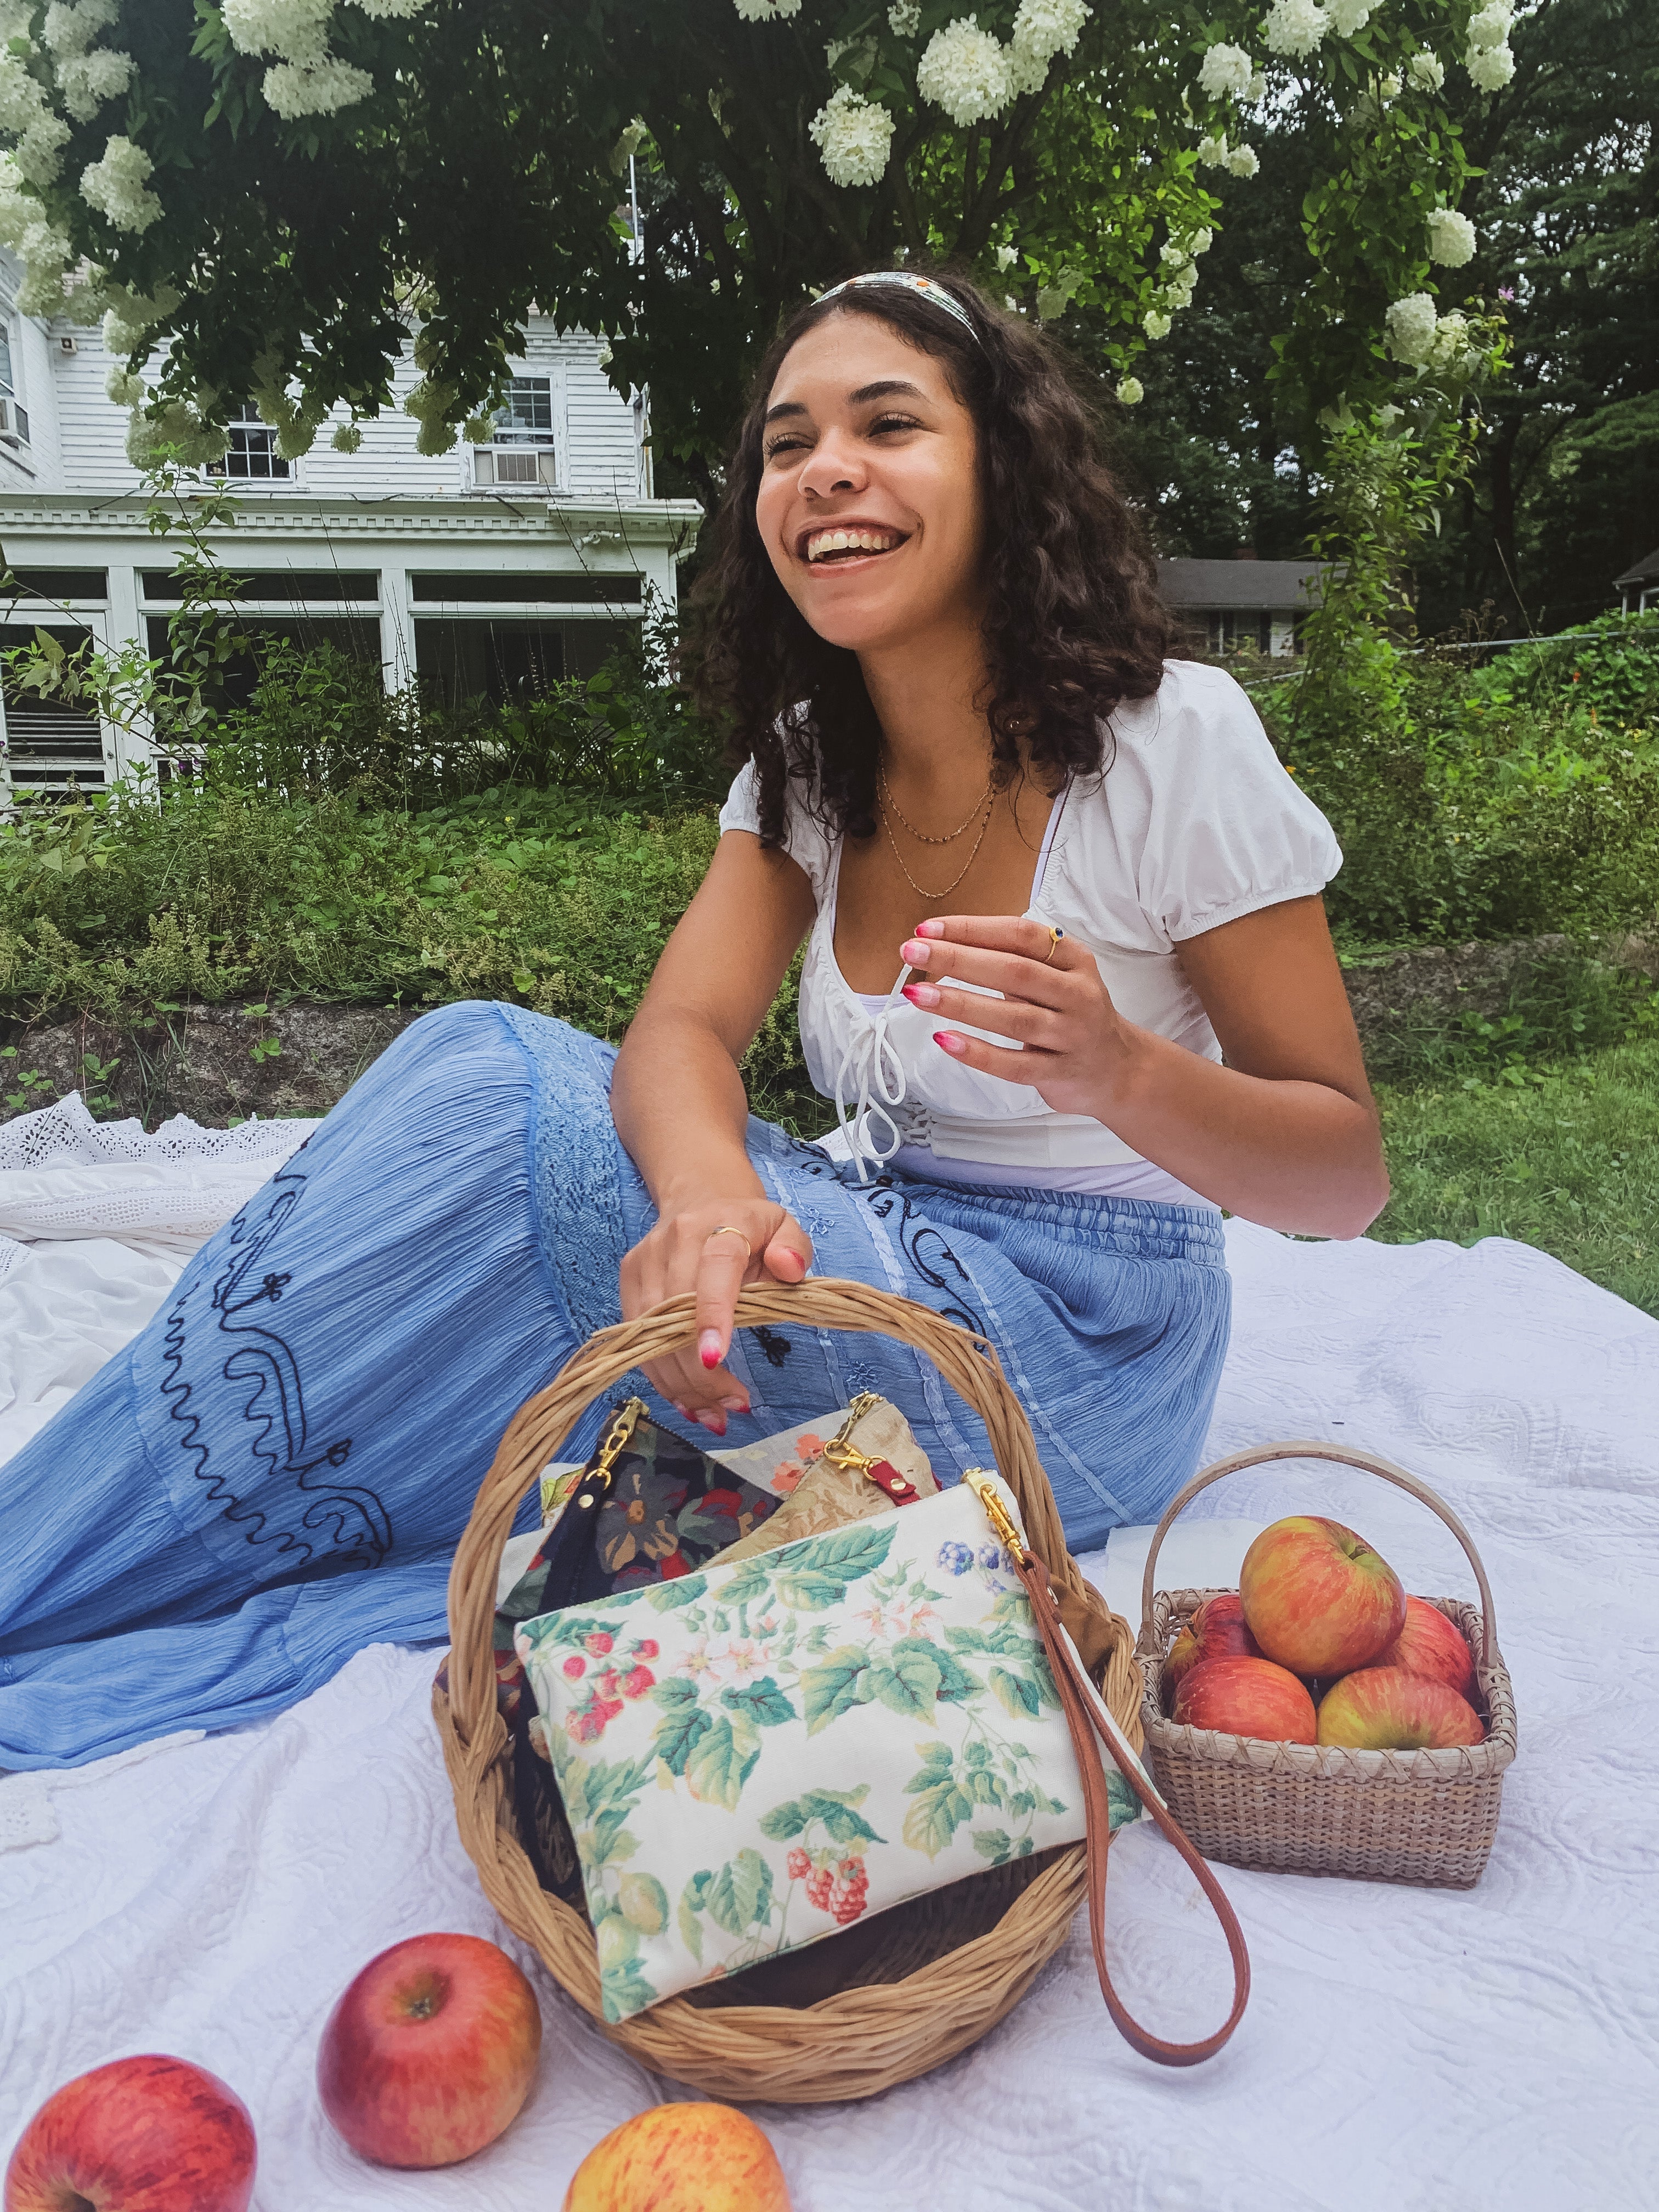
(870, 497)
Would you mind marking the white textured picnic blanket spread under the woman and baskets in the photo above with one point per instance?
(1404, 2052)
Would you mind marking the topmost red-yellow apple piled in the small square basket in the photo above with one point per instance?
(1317, 1598)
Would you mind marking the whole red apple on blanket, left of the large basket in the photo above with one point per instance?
(430, 2052)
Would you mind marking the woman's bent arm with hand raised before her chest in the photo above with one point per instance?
(1284, 1134)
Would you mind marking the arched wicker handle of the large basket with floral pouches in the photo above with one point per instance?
(536, 1432)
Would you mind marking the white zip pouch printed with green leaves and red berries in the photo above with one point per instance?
(755, 1757)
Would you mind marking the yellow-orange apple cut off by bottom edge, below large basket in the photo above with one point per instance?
(680, 2158)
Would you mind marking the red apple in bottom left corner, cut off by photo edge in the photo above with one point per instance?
(136, 2136)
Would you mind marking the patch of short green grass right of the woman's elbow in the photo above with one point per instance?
(1569, 1165)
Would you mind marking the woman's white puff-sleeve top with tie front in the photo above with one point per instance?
(1191, 824)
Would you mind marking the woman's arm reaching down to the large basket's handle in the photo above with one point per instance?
(680, 1109)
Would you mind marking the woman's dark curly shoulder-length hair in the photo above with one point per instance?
(1074, 616)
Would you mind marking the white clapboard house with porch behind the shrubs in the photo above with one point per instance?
(479, 570)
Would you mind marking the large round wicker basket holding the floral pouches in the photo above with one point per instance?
(948, 1976)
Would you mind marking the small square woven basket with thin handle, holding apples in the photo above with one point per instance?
(1300, 1808)
